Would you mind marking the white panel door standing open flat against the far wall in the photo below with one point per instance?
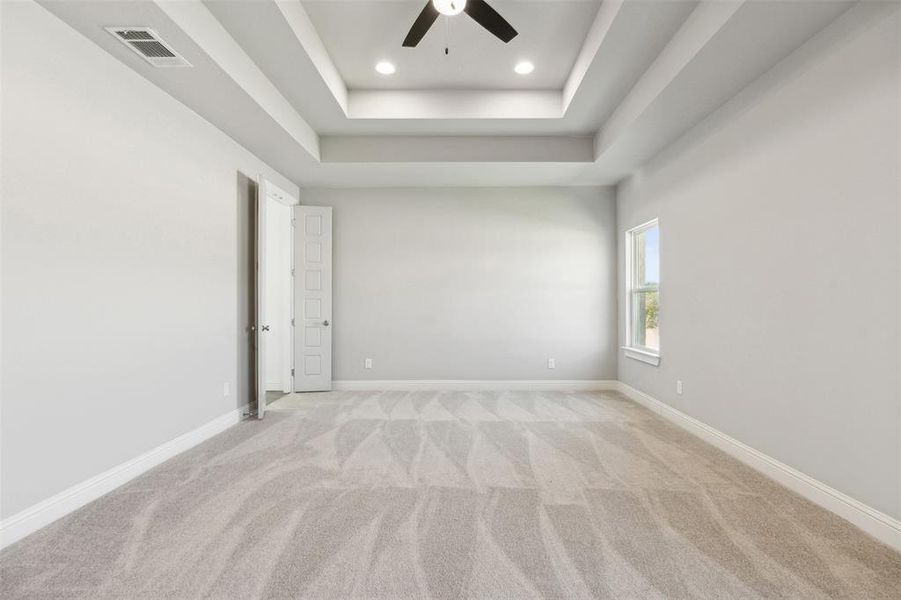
(313, 297)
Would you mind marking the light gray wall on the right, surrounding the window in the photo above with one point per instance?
(780, 245)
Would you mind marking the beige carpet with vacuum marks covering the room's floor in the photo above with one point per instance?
(451, 495)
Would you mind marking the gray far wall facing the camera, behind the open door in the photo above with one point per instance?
(473, 283)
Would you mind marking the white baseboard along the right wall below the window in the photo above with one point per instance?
(878, 524)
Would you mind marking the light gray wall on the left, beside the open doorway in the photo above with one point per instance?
(125, 269)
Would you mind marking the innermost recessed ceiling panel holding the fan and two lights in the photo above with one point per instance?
(357, 34)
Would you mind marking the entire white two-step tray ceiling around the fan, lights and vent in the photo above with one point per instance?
(615, 82)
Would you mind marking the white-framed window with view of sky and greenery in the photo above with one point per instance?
(643, 302)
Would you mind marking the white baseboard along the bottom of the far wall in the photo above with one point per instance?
(572, 385)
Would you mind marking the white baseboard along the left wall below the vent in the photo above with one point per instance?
(42, 514)
